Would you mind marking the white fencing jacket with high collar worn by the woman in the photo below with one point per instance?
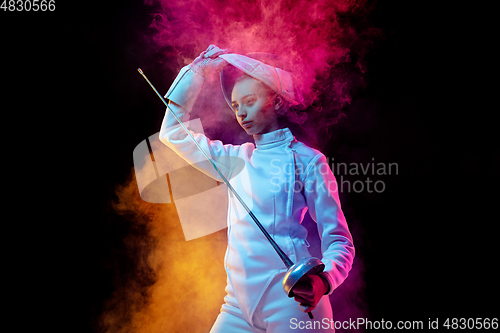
(280, 179)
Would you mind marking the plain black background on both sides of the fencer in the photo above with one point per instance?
(76, 107)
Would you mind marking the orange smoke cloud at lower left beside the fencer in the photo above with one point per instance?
(175, 286)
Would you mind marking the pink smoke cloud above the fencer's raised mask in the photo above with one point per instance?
(323, 41)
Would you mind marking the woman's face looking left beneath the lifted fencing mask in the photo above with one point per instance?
(254, 106)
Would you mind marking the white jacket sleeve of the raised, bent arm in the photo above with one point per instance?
(182, 95)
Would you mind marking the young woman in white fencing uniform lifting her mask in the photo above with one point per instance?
(285, 179)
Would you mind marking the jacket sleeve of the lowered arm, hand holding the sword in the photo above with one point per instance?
(321, 192)
